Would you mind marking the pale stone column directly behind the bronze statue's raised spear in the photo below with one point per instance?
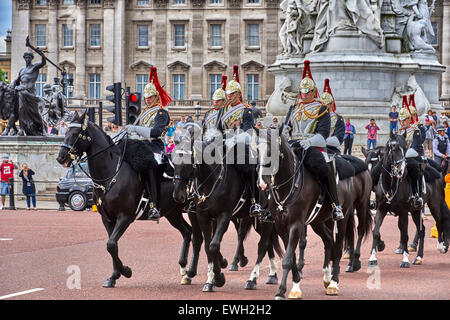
(52, 41)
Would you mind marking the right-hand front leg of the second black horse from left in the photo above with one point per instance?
(223, 222)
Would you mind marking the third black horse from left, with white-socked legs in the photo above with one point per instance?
(293, 194)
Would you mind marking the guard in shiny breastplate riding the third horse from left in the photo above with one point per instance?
(307, 126)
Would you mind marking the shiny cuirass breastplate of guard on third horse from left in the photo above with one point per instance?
(302, 124)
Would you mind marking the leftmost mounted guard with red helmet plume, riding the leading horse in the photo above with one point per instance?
(152, 125)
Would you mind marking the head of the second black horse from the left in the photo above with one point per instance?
(183, 158)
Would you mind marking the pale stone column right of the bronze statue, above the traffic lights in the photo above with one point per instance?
(80, 82)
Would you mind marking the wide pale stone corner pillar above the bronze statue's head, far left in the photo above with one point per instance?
(20, 31)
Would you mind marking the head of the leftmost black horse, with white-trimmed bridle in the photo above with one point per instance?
(76, 140)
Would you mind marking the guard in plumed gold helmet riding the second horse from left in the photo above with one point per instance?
(237, 116)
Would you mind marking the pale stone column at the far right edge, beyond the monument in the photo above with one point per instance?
(446, 51)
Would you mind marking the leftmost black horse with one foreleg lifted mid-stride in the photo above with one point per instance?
(117, 188)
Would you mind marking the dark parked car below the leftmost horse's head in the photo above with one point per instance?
(75, 189)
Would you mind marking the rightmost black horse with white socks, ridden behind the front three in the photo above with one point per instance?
(392, 194)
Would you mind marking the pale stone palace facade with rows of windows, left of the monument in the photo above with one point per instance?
(191, 42)
